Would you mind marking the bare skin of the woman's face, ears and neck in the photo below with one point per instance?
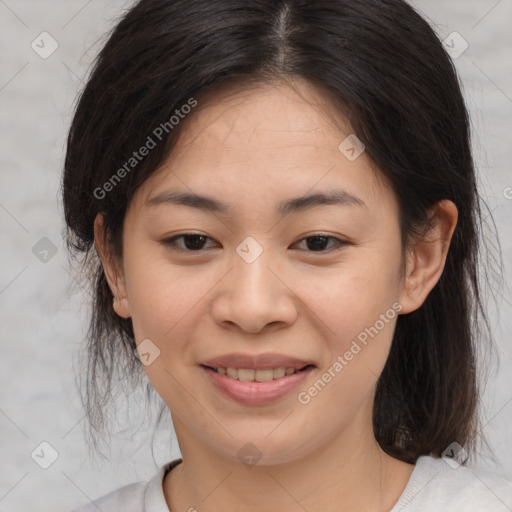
(254, 148)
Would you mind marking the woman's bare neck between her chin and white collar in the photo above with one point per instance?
(349, 473)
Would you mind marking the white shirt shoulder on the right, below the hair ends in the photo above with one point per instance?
(437, 485)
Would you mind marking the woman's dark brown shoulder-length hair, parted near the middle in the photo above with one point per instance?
(389, 74)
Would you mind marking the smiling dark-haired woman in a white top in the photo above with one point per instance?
(278, 204)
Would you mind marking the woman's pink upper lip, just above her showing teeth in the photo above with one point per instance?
(256, 362)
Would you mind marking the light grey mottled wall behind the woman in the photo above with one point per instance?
(43, 319)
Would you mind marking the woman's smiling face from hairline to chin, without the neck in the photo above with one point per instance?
(258, 285)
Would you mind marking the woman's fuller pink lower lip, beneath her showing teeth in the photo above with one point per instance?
(256, 393)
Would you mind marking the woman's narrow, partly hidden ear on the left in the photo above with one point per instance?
(112, 268)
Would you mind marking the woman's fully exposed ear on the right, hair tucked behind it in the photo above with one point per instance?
(427, 256)
